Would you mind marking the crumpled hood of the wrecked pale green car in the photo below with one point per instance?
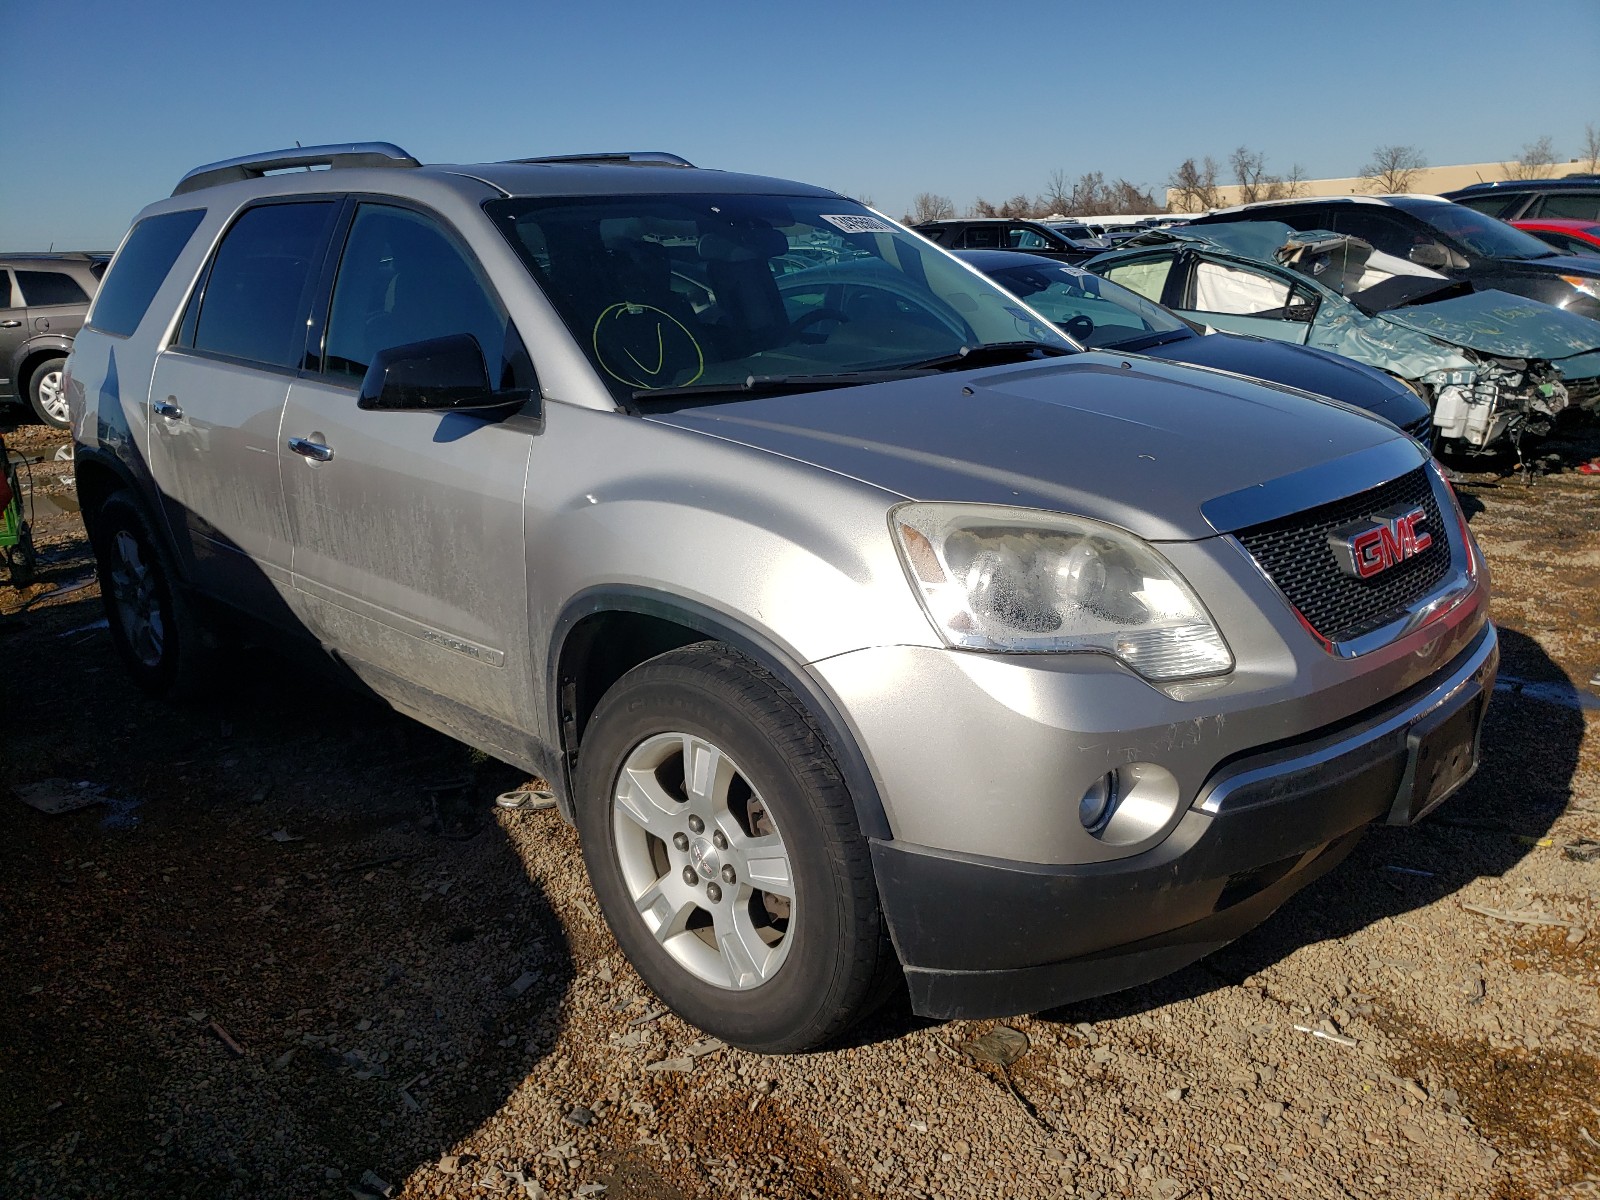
(1500, 324)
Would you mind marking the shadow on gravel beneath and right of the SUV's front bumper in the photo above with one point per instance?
(1529, 759)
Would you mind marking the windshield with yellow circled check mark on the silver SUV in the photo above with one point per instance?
(703, 290)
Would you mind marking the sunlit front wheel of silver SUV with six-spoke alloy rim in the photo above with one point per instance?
(726, 854)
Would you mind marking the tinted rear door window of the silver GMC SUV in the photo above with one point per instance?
(258, 294)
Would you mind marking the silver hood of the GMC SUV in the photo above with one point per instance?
(1126, 441)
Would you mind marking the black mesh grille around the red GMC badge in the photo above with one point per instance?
(1295, 556)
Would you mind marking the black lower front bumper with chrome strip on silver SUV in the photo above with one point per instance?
(985, 937)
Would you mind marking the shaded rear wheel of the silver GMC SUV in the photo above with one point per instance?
(153, 623)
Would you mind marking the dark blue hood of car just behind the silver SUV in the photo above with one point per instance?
(1303, 367)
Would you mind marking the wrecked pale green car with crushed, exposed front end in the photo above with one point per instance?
(1494, 367)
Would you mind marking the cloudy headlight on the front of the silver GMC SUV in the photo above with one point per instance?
(1025, 582)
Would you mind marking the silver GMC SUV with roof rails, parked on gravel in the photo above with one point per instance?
(871, 631)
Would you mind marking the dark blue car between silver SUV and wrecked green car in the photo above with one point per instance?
(1106, 316)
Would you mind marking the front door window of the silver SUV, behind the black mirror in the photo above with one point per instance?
(404, 281)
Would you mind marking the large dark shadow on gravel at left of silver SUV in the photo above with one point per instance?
(290, 943)
